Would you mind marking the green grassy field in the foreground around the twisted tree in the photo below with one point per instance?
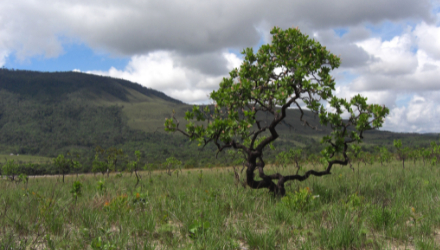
(372, 207)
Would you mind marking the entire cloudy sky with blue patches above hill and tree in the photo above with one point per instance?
(390, 50)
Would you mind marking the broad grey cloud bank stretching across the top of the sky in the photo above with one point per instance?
(139, 27)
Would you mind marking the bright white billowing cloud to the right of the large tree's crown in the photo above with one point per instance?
(405, 67)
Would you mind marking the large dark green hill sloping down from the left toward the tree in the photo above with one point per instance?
(50, 113)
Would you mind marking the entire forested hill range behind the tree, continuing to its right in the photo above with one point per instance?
(50, 113)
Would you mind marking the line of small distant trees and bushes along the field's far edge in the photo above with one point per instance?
(116, 160)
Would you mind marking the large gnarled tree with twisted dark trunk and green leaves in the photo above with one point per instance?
(292, 71)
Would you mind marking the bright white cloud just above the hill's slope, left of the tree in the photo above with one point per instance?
(159, 70)
